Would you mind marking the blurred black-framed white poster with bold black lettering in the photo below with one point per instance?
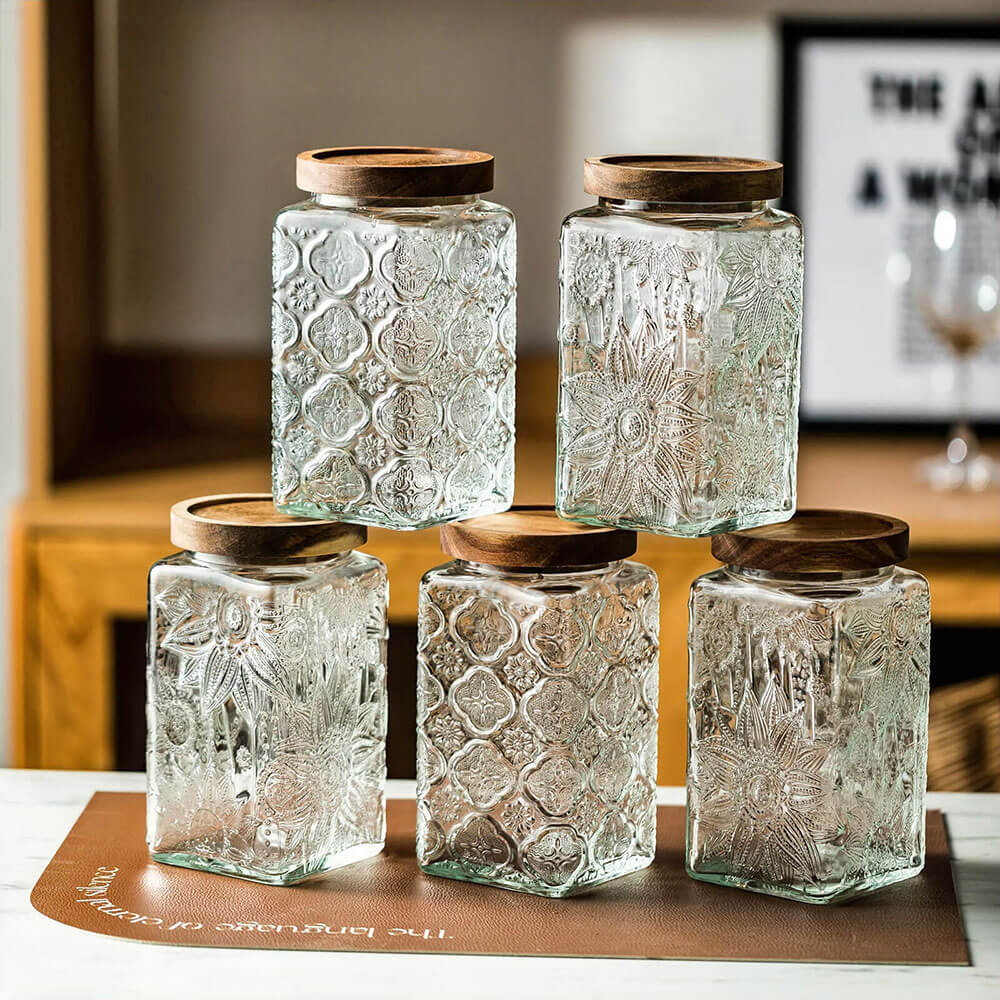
(879, 120)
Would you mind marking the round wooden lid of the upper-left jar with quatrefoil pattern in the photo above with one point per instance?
(394, 171)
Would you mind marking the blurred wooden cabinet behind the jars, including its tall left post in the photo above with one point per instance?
(116, 435)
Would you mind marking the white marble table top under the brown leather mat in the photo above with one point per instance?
(42, 958)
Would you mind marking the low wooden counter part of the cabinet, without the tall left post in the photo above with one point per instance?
(83, 551)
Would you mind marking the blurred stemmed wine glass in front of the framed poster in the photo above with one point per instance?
(955, 286)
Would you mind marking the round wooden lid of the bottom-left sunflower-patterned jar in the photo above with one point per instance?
(247, 526)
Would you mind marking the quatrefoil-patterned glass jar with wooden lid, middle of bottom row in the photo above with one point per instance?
(537, 705)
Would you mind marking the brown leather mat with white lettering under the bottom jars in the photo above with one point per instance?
(102, 880)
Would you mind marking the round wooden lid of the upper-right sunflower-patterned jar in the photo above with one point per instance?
(685, 179)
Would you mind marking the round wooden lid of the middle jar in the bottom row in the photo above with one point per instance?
(534, 538)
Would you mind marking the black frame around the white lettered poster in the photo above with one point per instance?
(793, 32)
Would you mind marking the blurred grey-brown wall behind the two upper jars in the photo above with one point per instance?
(207, 104)
